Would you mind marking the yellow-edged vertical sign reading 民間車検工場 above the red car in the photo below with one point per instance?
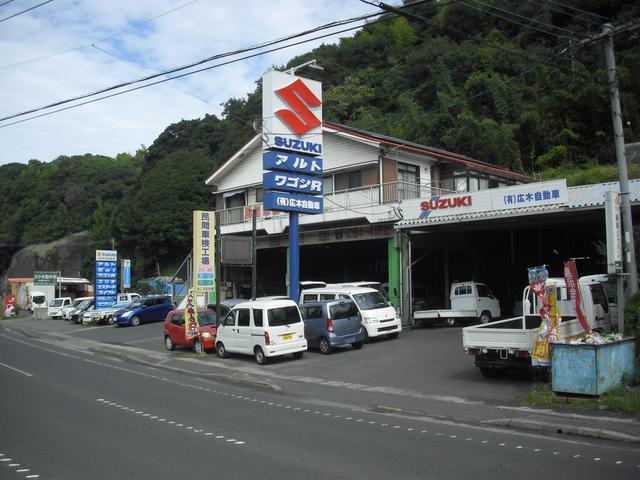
(203, 251)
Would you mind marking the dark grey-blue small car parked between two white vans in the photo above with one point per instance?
(331, 323)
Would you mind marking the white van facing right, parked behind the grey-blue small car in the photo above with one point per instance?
(378, 315)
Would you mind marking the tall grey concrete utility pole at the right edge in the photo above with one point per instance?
(623, 177)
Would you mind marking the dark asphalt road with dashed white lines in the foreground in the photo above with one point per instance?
(68, 415)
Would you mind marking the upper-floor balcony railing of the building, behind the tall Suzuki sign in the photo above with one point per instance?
(380, 194)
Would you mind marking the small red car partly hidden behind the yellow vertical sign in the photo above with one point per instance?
(174, 331)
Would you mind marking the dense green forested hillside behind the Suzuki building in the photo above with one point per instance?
(514, 83)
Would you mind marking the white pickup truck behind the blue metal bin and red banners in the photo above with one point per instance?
(508, 344)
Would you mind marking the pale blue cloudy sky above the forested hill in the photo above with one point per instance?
(150, 36)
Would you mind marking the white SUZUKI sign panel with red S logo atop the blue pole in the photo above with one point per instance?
(291, 113)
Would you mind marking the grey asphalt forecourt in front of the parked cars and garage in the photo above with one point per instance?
(425, 361)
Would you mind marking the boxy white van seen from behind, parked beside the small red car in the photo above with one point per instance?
(263, 328)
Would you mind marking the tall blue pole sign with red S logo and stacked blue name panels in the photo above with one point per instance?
(292, 135)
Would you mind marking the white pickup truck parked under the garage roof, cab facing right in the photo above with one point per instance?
(469, 301)
